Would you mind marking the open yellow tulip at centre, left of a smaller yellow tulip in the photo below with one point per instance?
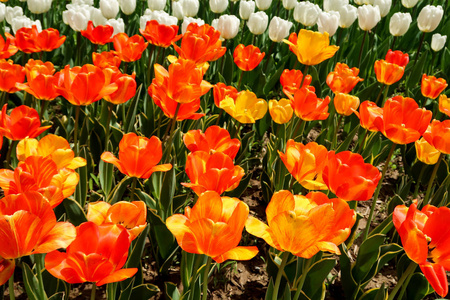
(247, 108)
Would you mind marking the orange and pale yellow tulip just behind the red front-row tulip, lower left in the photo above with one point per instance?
(131, 215)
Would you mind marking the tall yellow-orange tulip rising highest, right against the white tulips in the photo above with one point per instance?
(311, 47)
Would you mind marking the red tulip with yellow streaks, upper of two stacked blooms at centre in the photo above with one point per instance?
(215, 139)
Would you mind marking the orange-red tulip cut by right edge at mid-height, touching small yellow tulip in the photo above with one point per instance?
(438, 135)
